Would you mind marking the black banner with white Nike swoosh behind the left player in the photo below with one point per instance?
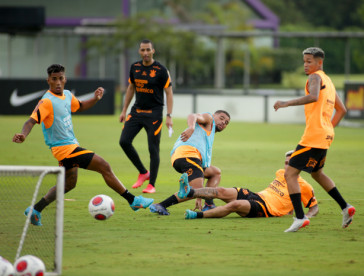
(20, 96)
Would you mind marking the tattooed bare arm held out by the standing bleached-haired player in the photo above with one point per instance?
(314, 85)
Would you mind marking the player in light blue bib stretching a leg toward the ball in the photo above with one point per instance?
(54, 113)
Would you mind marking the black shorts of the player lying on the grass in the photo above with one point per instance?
(257, 204)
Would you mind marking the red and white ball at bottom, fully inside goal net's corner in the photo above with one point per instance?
(29, 265)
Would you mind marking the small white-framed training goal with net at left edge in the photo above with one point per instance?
(21, 187)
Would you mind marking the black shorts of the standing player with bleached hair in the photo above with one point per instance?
(308, 159)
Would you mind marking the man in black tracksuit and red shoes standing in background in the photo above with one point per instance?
(148, 79)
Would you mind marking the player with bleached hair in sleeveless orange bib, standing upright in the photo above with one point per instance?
(320, 101)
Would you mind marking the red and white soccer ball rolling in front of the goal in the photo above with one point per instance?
(101, 207)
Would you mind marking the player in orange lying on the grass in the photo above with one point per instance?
(273, 201)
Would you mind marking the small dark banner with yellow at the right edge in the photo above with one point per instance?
(354, 100)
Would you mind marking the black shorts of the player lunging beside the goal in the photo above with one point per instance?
(79, 158)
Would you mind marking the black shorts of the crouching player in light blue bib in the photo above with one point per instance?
(189, 165)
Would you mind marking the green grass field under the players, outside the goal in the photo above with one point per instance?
(142, 243)
